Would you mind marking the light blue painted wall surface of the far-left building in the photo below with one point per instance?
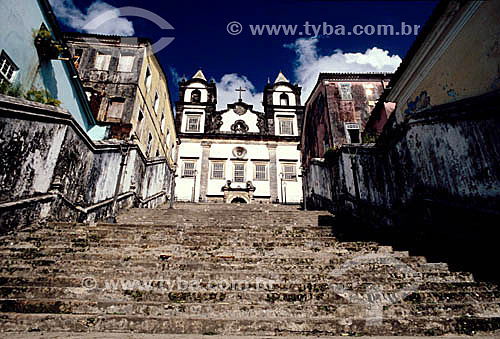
(18, 20)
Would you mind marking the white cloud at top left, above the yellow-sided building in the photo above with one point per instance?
(112, 24)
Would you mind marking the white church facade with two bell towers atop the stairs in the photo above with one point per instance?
(238, 154)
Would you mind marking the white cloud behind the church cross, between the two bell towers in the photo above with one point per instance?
(226, 91)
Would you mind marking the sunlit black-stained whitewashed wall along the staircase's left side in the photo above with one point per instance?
(50, 168)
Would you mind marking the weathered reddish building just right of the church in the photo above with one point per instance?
(338, 109)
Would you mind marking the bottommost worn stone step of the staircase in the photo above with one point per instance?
(249, 326)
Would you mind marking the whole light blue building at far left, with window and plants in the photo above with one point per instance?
(34, 58)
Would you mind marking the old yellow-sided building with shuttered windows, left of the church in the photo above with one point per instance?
(127, 90)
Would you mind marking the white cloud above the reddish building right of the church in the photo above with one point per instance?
(310, 63)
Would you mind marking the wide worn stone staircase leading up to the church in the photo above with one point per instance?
(229, 270)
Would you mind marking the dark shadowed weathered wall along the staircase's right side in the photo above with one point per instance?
(431, 184)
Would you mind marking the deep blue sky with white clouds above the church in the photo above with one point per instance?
(201, 38)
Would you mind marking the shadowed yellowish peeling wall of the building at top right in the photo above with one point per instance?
(463, 62)
